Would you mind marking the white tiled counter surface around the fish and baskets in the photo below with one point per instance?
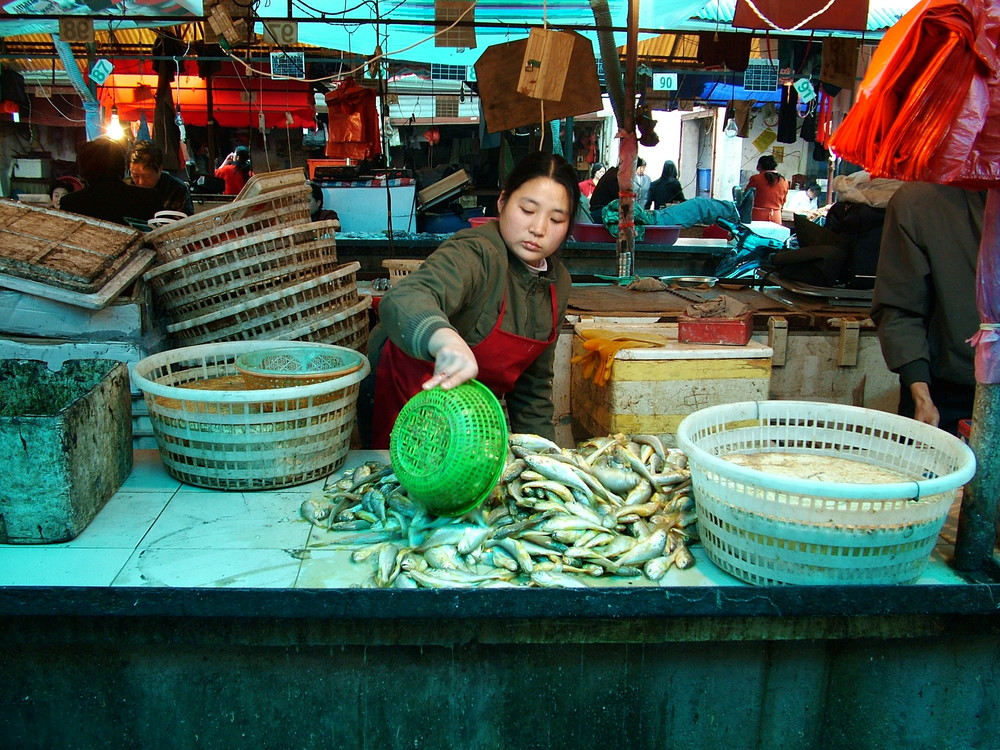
(157, 531)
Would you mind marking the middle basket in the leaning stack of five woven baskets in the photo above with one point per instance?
(218, 277)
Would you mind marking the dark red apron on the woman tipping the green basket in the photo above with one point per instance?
(501, 356)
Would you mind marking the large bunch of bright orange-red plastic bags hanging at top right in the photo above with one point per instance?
(928, 107)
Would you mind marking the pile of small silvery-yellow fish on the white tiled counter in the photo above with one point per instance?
(619, 505)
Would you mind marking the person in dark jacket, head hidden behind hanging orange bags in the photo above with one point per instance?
(924, 303)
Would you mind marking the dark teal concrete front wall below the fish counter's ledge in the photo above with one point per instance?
(492, 685)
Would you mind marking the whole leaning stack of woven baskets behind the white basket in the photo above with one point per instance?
(257, 268)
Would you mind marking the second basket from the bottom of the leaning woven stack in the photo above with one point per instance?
(300, 307)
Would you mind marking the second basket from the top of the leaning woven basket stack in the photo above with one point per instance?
(269, 210)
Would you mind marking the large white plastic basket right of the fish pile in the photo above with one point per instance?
(768, 529)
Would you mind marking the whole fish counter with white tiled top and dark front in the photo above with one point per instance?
(204, 617)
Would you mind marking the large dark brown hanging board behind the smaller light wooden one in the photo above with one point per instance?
(505, 108)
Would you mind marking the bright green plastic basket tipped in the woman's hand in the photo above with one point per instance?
(449, 447)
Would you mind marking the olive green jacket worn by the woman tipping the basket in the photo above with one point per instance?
(460, 286)
